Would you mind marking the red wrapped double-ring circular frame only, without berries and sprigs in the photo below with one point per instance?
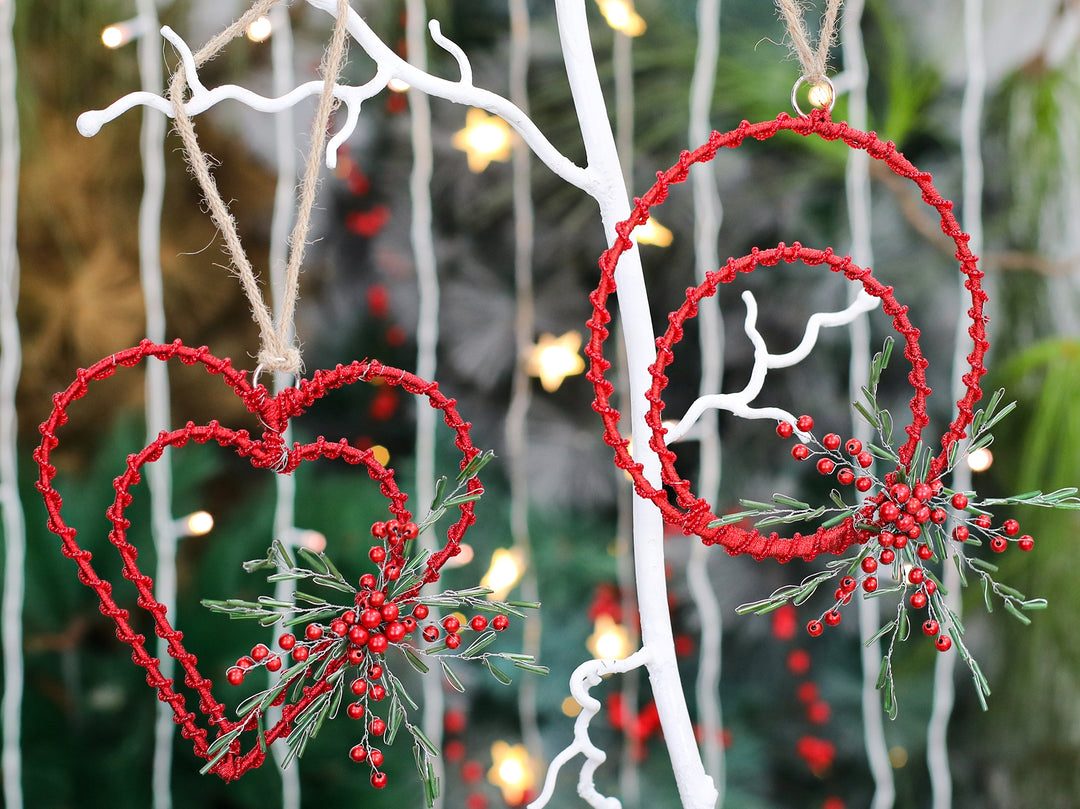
(695, 515)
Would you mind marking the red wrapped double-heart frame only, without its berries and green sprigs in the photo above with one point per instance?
(267, 452)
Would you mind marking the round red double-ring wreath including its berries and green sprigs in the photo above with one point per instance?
(898, 521)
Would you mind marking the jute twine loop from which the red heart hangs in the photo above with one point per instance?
(278, 352)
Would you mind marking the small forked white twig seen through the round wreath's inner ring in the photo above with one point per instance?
(739, 404)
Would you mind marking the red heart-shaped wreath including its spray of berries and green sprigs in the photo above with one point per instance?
(386, 611)
